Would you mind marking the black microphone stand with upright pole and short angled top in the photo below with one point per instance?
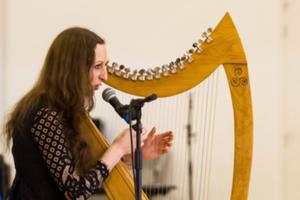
(136, 107)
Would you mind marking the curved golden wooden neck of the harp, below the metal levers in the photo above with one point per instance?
(225, 48)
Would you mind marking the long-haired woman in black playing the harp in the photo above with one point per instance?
(48, 152)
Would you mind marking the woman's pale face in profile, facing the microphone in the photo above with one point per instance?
(98, 71)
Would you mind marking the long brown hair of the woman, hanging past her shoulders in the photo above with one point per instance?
(64, 84)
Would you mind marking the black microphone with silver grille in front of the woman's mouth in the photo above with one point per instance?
(109, 95)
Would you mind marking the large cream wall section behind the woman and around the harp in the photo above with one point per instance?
(148, 33)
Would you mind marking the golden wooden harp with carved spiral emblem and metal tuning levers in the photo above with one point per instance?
(221, 46)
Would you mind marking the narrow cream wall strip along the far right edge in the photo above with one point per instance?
(291, 97)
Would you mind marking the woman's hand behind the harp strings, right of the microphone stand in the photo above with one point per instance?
(156, 144)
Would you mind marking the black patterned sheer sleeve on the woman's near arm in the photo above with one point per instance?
(48, 133)
